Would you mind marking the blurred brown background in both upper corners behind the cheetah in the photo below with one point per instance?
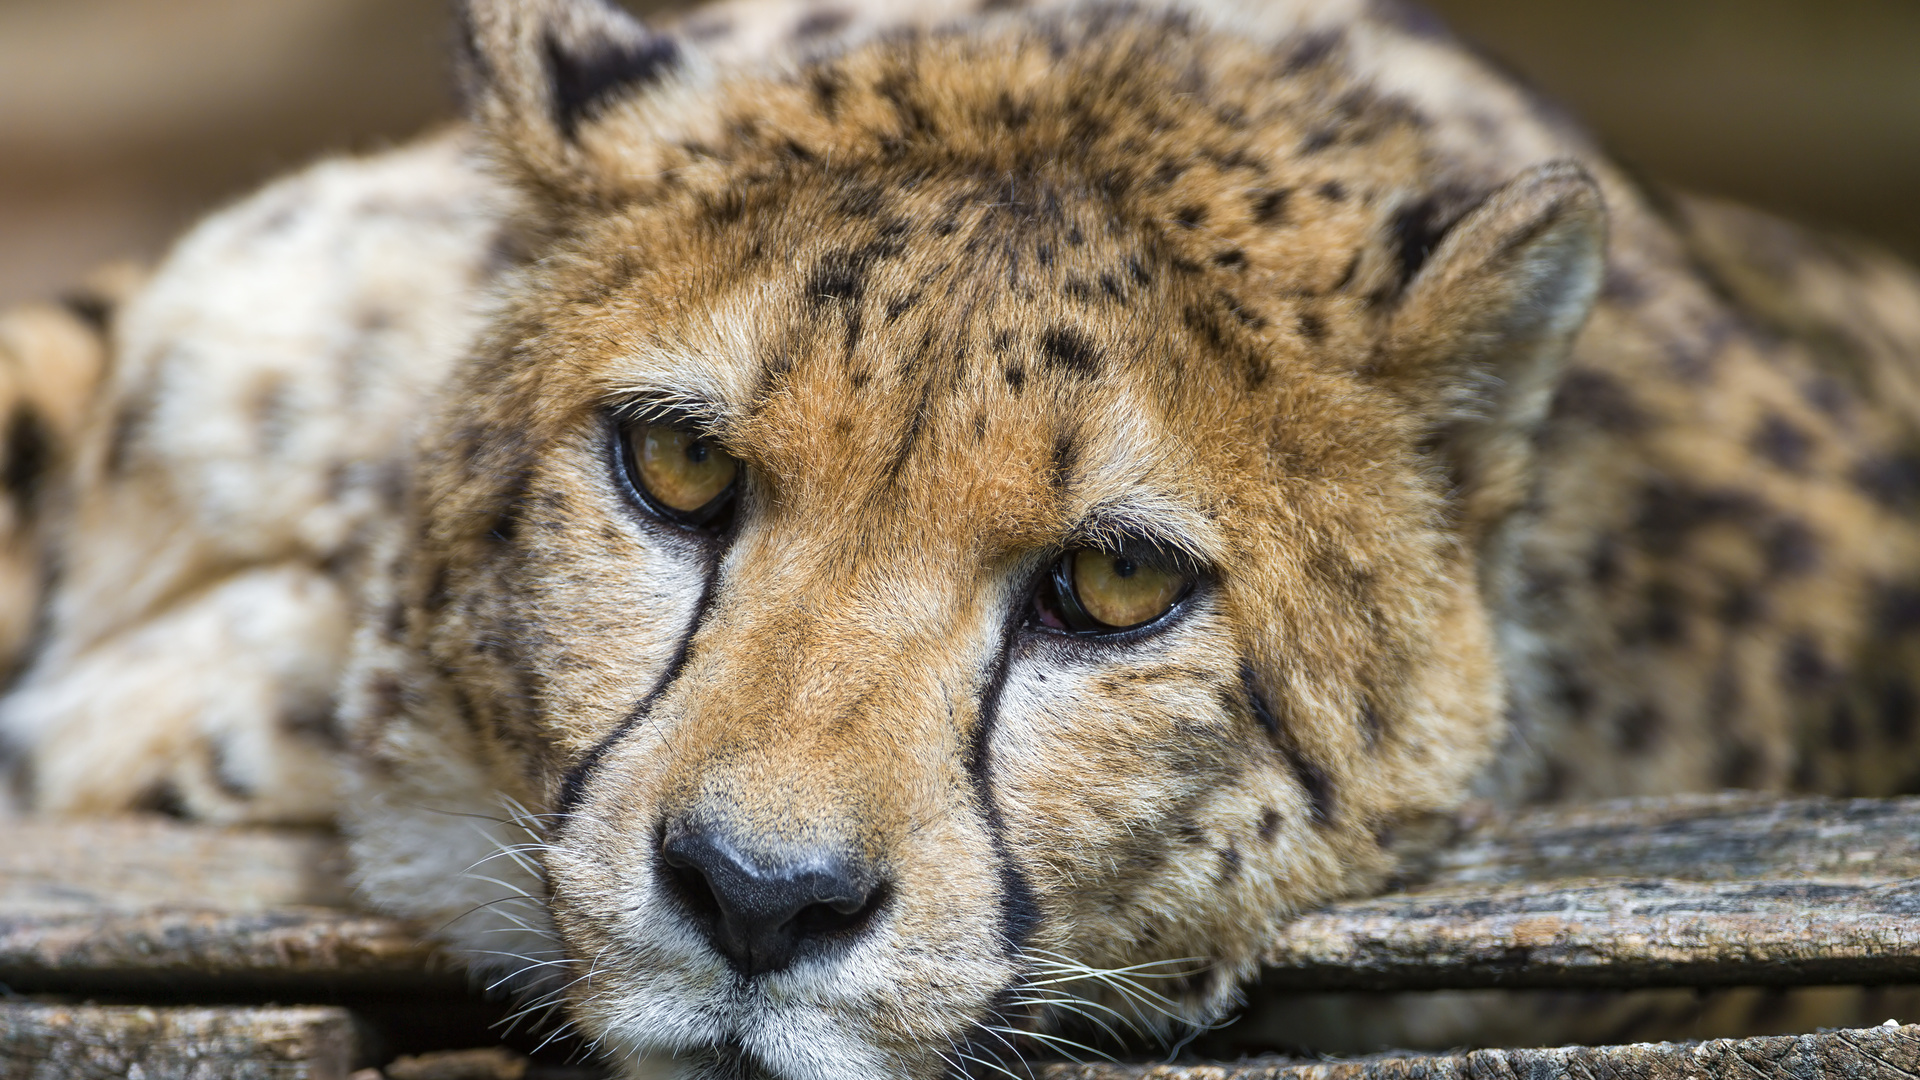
(124, 120)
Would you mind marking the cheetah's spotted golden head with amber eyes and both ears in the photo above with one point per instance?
(926, 589)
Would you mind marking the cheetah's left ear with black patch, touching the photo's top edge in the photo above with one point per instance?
(539, 74)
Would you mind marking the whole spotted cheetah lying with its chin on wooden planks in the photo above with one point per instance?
(828, 543)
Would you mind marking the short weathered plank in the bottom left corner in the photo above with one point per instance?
(101, 1043)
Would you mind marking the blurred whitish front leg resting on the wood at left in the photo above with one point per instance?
(220, 708)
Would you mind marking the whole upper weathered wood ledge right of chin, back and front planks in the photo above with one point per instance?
(1673, 893)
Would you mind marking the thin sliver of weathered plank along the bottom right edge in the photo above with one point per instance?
(1871, 1054)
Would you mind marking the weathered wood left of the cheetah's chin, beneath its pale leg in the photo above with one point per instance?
(151, 904)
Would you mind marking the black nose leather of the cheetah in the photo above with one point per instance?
(763, 912)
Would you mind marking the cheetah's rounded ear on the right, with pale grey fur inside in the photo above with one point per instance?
(1483, 331)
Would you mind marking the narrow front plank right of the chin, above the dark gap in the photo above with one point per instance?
(1637, 933)
